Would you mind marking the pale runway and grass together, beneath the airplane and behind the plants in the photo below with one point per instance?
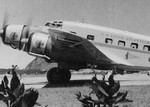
(137, 85)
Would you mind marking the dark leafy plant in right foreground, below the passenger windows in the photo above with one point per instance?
(107, 94)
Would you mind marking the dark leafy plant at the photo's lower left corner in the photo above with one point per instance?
(15, 95)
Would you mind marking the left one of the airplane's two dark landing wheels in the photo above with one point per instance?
(53, 75)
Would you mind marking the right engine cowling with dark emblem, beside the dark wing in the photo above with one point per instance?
(37, 43)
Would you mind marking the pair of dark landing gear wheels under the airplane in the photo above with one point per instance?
(58, 75)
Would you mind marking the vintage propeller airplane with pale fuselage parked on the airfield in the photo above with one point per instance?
(75, 46)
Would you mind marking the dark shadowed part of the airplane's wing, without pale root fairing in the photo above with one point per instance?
(75, 47)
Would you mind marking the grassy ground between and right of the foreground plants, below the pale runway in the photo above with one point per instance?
(65, 96)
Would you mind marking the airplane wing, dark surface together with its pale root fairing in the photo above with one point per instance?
(81, 48)
